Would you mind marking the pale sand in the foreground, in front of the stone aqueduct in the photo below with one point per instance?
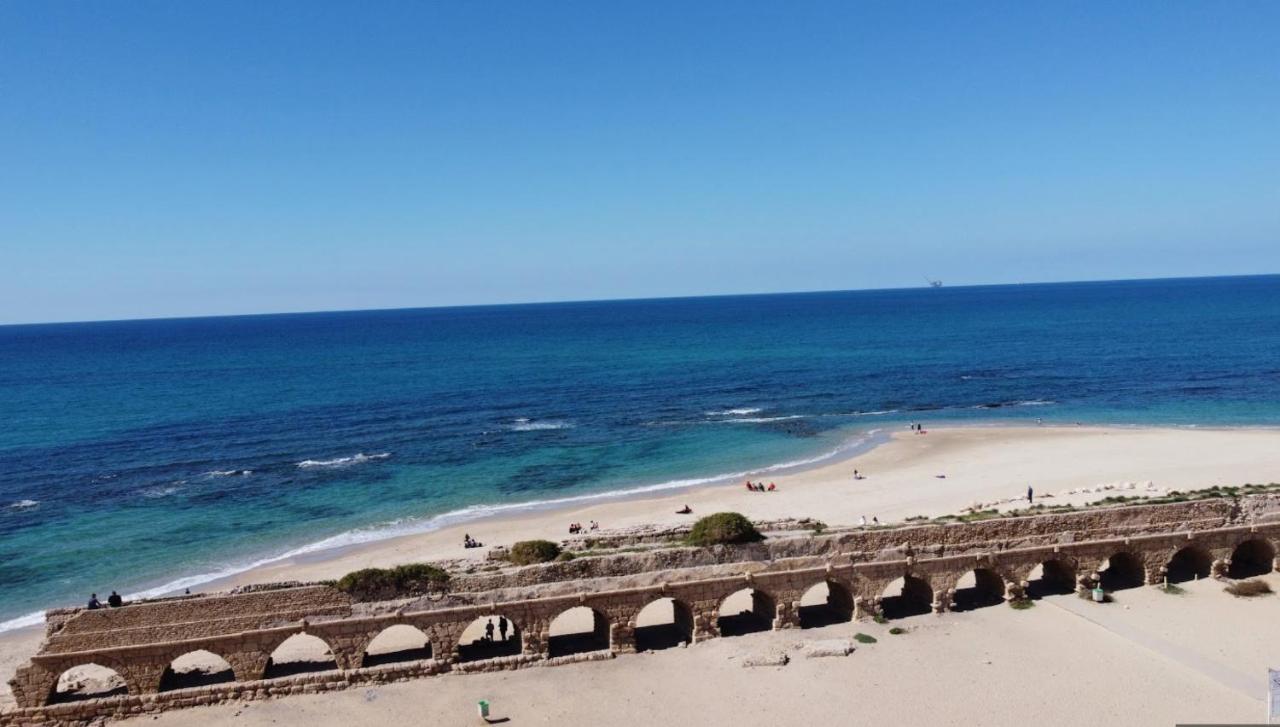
(1150, 659)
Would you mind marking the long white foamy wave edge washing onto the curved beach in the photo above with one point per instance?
(414, 527)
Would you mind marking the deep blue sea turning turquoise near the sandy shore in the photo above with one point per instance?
(134, 454)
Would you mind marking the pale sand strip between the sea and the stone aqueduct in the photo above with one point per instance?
(981, 465)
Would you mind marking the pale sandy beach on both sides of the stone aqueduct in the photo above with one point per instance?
(1194, 657)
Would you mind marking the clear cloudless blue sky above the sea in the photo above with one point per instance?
(163, 159)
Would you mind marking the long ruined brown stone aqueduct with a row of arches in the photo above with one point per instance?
(1000, 560)
